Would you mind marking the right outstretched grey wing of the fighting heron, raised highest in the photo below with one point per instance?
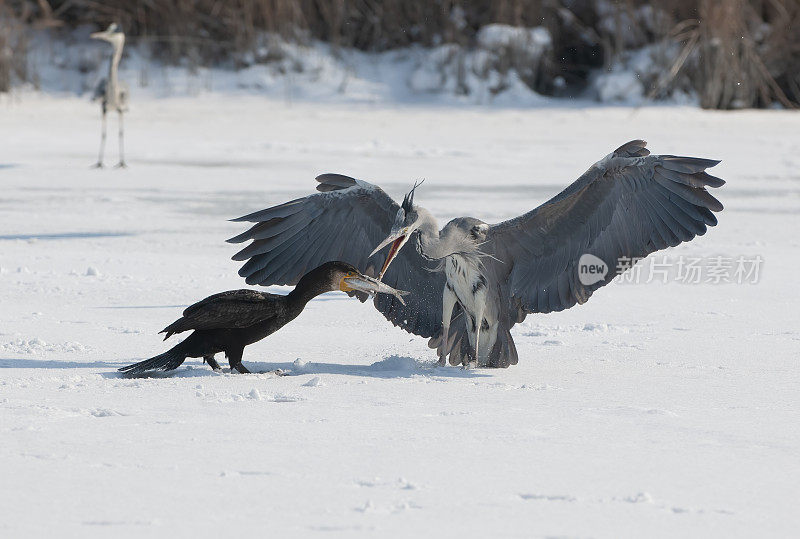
(624, 207)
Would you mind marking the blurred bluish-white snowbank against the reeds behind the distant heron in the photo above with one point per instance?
(448, 74)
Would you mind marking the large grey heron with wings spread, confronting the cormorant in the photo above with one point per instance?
(470, 282)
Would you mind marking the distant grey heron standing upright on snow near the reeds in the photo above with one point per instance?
(112, 93)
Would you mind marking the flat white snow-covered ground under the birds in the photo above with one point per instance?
(653, 410)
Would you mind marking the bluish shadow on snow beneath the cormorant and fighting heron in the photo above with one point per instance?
(391, 367)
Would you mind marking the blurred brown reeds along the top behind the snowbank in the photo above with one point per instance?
(732, 53)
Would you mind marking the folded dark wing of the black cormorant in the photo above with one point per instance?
(228, 310)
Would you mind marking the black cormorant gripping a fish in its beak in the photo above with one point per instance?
(229, 321)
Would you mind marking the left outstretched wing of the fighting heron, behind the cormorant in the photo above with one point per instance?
(344, 221)
